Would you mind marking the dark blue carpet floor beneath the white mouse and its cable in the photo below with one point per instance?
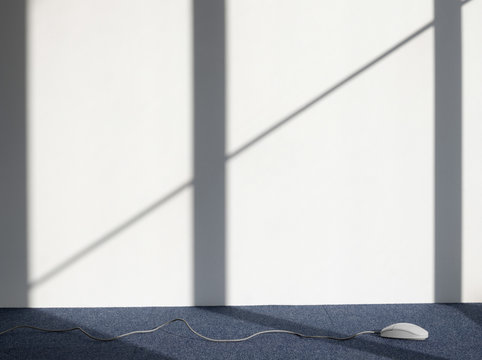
(455, 332)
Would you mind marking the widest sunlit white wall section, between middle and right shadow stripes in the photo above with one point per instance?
(330, 207)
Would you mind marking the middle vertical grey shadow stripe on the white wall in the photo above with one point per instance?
(209, 209)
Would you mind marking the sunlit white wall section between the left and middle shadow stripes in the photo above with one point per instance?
(110, 135)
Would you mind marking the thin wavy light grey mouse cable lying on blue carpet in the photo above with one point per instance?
(193, 331)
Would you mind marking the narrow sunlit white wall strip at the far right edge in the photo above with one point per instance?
(472, 150)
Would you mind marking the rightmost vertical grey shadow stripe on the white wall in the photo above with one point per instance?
(448, 151)
